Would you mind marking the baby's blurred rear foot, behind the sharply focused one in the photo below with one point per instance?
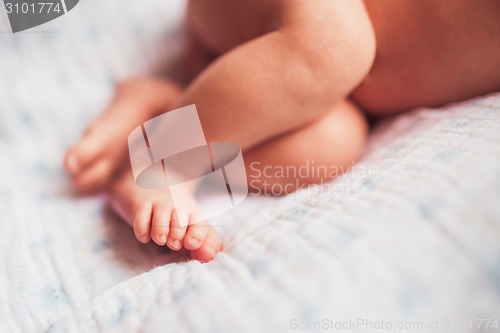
(103, 148)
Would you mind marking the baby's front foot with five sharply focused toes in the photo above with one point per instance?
(152, 215)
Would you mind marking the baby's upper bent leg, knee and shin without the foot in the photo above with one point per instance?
(310, 56)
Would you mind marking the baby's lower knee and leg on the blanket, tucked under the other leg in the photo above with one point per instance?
(312, 154)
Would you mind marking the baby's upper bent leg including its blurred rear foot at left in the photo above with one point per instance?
(269, 85)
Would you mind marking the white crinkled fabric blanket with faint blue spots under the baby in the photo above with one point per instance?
(412, 233)
